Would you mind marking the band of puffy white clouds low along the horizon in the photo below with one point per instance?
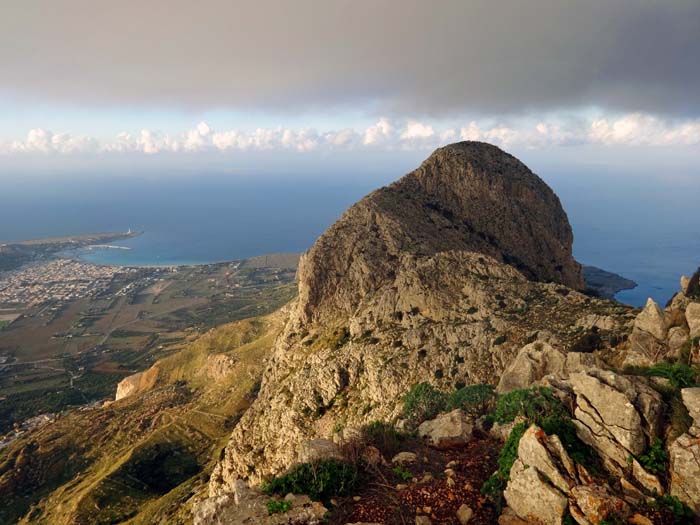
(633, 130)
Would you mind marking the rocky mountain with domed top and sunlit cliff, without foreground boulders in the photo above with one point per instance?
(441, 277)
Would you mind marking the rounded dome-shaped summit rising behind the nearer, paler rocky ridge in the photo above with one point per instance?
(468, 196)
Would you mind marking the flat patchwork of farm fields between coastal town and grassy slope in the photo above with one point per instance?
(58, 353)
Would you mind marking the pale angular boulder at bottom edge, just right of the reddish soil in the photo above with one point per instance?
(532, 498)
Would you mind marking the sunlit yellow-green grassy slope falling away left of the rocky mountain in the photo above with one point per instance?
(93, 466)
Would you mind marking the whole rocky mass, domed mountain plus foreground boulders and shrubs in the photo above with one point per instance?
(457, 276)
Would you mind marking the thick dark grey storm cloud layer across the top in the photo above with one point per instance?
(431, 57)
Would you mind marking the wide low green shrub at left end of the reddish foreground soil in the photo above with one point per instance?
(321, 480)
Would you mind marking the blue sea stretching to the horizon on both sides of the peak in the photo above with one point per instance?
(647, 232)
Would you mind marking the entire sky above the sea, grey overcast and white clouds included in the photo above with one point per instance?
(133, 86)
